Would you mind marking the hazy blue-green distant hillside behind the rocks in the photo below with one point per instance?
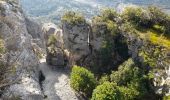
(52, 10)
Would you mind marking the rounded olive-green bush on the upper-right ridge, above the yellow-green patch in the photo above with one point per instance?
(137, 16)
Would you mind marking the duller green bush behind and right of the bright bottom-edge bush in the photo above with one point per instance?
(132, 77)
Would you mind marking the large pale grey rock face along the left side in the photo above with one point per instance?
(19, 34)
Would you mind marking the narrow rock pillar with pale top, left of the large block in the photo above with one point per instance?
(54, 43)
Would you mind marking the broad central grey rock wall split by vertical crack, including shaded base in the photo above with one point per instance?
(85, 44)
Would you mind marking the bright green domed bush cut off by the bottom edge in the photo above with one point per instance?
(107, 91)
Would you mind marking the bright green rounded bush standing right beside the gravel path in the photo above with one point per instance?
(82, 80)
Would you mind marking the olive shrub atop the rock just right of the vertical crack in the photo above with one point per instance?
(106, 22)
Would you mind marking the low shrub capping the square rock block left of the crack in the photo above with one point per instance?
(73, 18)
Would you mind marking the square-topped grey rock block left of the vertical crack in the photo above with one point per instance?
(76, 39)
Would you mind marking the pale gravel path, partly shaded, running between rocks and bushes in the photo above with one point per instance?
(56, 84)
